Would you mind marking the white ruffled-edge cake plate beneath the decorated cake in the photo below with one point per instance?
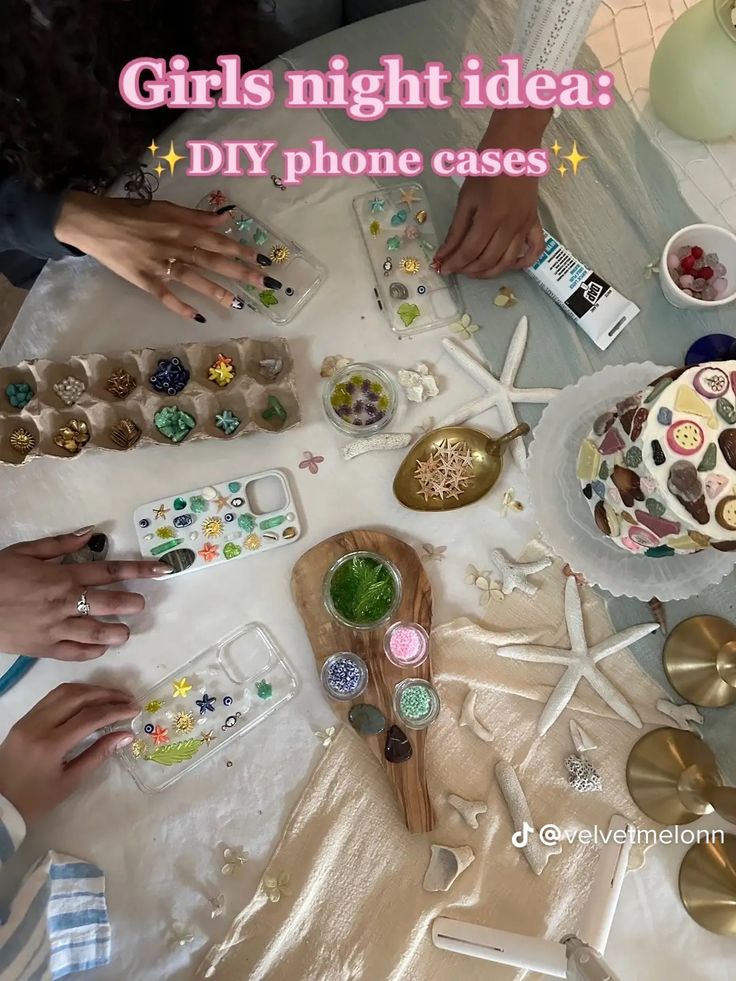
(563, 513)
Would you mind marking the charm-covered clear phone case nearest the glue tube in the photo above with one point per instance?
(399, 234)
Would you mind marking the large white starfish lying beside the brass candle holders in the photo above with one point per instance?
(581, 661)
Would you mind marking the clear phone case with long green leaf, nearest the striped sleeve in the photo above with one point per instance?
(203, 706)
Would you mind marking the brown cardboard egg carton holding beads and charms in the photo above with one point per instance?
(246, 396)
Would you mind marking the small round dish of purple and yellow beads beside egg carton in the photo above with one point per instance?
(360, 400)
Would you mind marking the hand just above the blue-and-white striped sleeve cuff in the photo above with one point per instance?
(33, 774)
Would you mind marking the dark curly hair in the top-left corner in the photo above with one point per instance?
(63, 121)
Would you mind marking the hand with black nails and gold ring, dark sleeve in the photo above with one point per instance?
(136, 240)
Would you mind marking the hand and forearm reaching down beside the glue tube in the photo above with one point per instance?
(496, 225)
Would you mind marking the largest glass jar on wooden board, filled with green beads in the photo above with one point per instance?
(362, 590)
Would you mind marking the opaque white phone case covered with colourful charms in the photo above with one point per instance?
(202, 528)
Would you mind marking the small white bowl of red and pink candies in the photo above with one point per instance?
(698, 267)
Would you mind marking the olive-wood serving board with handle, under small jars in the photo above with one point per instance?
(329, 637)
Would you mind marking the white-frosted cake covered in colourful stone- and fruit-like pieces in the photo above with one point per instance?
(658, 469)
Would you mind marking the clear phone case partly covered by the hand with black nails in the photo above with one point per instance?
(299, 271)
